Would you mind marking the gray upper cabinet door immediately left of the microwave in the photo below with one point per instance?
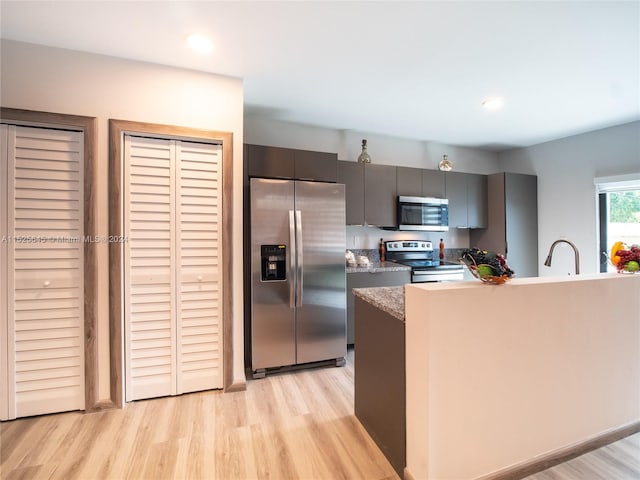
(380, 195)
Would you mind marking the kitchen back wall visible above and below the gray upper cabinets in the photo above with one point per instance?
(384, 150)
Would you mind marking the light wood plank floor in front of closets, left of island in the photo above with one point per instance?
(298, 425)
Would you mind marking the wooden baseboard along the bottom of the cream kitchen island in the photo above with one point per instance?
(548, 460)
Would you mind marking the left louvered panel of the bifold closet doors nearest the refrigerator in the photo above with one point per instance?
(149, 272)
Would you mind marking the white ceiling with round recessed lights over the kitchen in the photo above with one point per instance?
(417, 70)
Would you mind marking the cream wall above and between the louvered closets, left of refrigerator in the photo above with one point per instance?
(54, 80)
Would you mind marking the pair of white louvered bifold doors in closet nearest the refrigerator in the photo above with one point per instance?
(172, 322)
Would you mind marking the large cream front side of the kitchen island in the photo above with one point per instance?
(502, 380)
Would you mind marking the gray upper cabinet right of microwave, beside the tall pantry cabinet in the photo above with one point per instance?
(467, 195)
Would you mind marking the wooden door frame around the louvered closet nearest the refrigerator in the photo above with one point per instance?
(117, 129)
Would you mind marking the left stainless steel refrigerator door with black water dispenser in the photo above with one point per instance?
(272, 301)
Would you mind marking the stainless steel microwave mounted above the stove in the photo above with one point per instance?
(423, 213)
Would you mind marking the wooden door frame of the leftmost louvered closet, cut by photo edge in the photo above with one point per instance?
(89, 126)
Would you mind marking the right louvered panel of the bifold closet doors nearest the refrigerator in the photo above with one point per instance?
(198, 208)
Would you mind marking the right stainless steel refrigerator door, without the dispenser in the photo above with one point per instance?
(321, 288)
